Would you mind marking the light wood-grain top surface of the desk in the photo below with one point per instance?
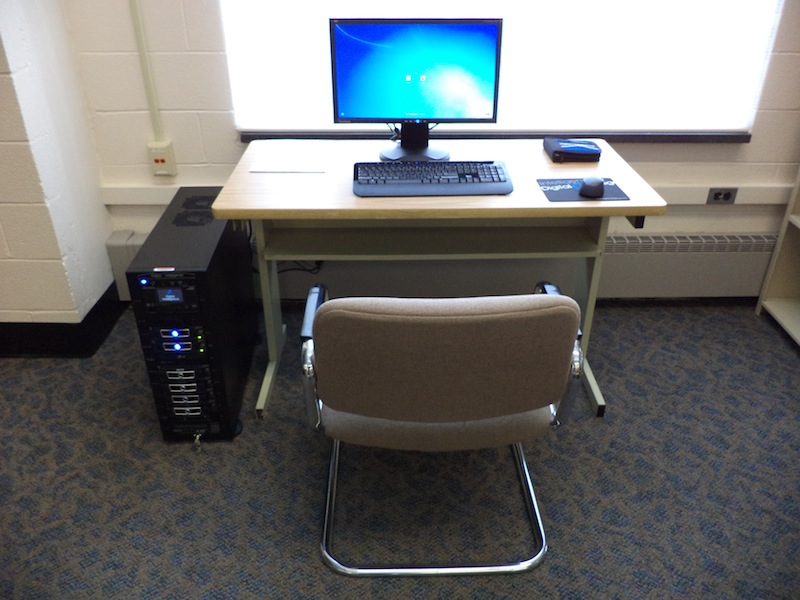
(313, 179)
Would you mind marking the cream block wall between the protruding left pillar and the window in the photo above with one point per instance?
(187, 57)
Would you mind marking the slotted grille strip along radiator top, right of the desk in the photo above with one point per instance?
(690, 244)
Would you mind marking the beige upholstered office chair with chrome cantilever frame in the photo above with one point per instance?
(434, 375)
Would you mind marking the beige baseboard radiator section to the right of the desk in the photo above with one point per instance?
(698, 265)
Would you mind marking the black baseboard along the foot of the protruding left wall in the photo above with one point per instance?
(63, 340)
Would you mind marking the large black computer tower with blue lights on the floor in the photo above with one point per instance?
(191, 287)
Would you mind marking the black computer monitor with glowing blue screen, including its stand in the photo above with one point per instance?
(415, 72)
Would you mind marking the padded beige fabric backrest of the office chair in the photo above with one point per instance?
(444, 360)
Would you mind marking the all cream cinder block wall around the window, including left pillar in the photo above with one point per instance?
(68, 180)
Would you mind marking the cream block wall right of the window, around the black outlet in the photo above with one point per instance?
(764, 170)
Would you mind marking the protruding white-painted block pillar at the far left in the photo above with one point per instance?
(53, 265)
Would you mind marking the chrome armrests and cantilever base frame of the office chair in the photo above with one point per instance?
(559, 413)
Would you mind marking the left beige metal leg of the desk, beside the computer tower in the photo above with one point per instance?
(273, 321)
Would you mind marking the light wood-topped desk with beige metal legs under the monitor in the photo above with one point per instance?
(299, 192)
